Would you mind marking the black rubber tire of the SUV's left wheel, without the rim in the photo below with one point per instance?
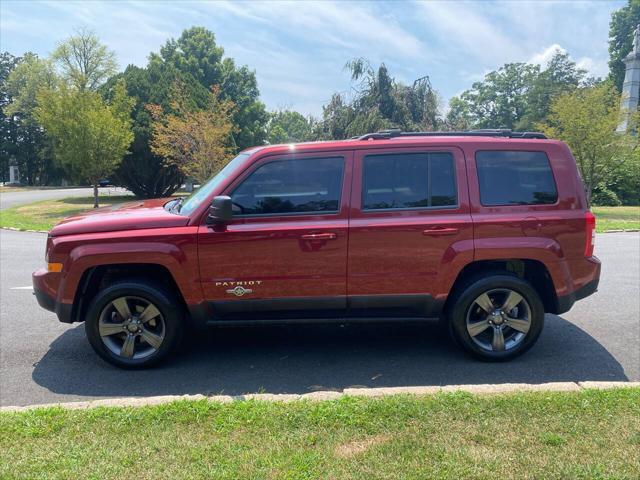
(165, 302)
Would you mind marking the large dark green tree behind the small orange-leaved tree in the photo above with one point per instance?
(196, 62)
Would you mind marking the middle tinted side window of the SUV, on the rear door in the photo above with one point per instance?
(409, 180)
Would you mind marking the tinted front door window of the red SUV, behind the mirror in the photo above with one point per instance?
(291, 186)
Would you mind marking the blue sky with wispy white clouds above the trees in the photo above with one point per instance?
(298, 49)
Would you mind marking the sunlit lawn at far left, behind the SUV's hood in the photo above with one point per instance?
(45, 214)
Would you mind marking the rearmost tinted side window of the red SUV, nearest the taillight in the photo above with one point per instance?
(515, 178)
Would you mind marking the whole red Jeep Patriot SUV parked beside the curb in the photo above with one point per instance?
(487, 230)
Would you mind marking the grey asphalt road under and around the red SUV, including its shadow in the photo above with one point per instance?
(43, 361)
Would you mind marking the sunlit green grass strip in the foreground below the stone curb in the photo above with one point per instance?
(586, 434)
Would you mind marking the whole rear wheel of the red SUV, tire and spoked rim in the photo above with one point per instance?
(496, 318)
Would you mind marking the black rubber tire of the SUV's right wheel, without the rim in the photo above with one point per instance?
(458, 315)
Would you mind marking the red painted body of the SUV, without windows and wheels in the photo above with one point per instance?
(351, 257)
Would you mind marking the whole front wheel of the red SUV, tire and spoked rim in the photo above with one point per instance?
(133, 324)
